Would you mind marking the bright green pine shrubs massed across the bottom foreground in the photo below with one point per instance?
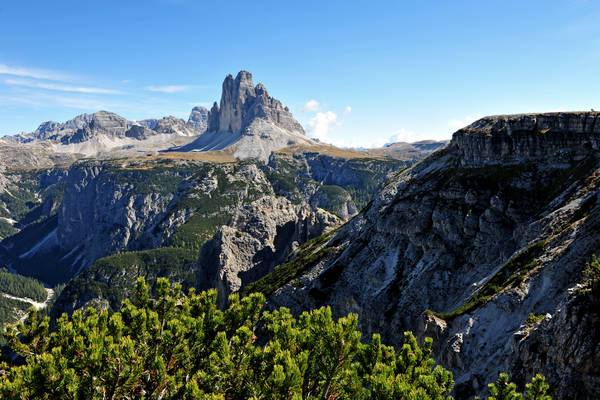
(184, 347)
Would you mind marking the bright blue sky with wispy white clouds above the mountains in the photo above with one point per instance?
(354, 73)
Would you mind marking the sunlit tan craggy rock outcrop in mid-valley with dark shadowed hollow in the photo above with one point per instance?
(258, 237)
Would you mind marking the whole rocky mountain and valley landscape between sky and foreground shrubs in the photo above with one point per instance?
(480, 243)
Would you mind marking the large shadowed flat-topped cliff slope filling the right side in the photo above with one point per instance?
(441, 234)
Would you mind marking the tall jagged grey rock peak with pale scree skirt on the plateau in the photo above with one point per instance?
(249, 121)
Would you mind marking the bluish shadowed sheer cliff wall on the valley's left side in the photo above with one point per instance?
(101, 213)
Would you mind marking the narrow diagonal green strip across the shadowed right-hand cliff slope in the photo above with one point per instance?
(513, 272)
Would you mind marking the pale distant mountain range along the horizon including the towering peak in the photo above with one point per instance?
(248, 123)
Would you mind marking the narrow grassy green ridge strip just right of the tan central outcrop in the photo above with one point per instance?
(305, 257)
